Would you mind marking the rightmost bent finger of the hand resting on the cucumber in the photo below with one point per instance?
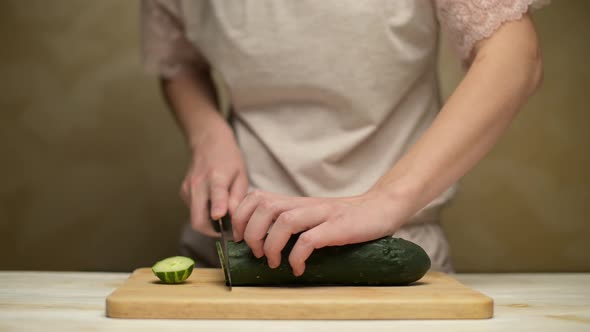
(323, 235)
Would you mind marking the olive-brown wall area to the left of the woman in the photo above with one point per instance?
(91, 160)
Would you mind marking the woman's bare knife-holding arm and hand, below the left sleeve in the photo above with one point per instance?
(217, 172)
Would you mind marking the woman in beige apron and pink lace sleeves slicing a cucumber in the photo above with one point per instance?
(336, 119)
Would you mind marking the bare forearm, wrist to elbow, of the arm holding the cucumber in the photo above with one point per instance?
(506, 70)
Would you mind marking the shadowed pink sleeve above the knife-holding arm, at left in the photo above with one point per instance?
(166, 51)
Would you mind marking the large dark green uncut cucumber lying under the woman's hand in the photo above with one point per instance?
(384, 262)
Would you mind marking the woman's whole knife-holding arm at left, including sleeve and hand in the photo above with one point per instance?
(217, 172)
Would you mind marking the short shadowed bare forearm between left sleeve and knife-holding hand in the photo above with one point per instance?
(191, 97)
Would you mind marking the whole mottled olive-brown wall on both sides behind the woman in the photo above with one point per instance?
(91, 161)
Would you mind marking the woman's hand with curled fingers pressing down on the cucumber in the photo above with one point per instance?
(322, 221)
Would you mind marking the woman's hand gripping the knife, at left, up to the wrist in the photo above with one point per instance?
(217, 173)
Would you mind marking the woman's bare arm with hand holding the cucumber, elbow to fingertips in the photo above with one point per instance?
(506, 70)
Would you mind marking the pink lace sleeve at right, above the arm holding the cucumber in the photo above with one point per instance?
(469, 21)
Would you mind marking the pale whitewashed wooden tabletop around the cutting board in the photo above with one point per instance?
(35, 301)
